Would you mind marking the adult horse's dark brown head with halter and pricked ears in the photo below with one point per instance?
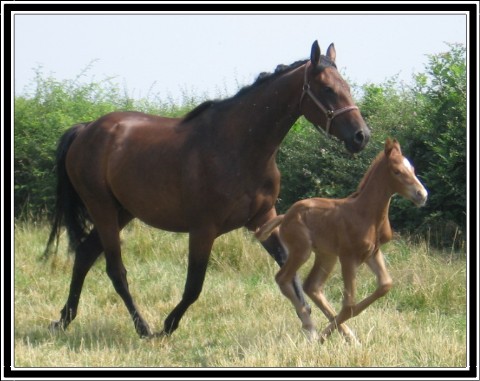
(326, 91)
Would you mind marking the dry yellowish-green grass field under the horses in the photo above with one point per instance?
(241, 319)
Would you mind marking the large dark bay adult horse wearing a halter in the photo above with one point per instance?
(205, 174)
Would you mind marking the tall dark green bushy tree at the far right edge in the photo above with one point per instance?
(441, 140)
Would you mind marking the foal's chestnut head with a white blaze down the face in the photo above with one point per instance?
(402, 175)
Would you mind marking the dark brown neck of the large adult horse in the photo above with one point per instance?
(266, 114)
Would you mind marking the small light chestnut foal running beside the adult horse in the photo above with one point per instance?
(352, 229)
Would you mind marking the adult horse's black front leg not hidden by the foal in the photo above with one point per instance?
(200, 246)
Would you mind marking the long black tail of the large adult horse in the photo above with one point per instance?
(69, 209)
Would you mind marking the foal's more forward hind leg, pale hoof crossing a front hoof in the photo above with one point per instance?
(314, 285)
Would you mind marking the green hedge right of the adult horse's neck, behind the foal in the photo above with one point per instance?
(429, 120)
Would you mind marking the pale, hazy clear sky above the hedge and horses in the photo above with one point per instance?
(170, 55)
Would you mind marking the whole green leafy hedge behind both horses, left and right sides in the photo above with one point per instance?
(428, 118)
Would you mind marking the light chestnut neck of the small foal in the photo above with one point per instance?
(372, 200)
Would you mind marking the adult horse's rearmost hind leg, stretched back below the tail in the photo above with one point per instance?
(85, 256)
